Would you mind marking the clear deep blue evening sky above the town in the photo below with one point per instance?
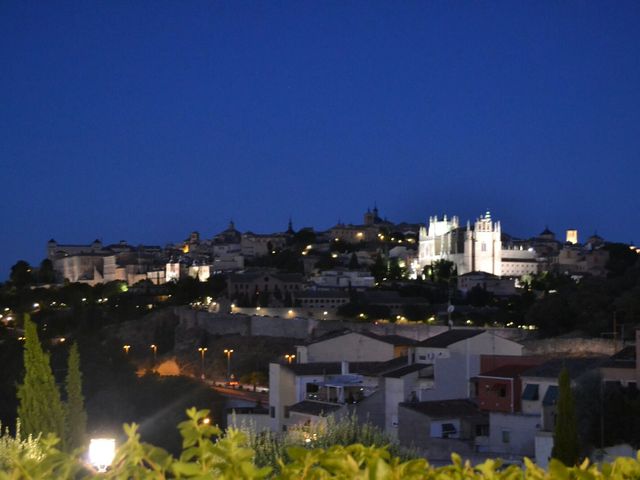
(146, 120)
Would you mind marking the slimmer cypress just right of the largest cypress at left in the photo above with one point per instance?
(75, 415)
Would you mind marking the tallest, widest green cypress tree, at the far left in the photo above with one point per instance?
(40, 409)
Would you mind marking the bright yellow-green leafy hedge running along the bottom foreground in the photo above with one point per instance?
(229, 458)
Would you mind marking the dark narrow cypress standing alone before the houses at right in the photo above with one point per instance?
(566, 446)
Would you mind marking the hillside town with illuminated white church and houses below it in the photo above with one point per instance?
(447, 336)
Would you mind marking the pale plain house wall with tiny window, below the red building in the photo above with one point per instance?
(522, 429)
